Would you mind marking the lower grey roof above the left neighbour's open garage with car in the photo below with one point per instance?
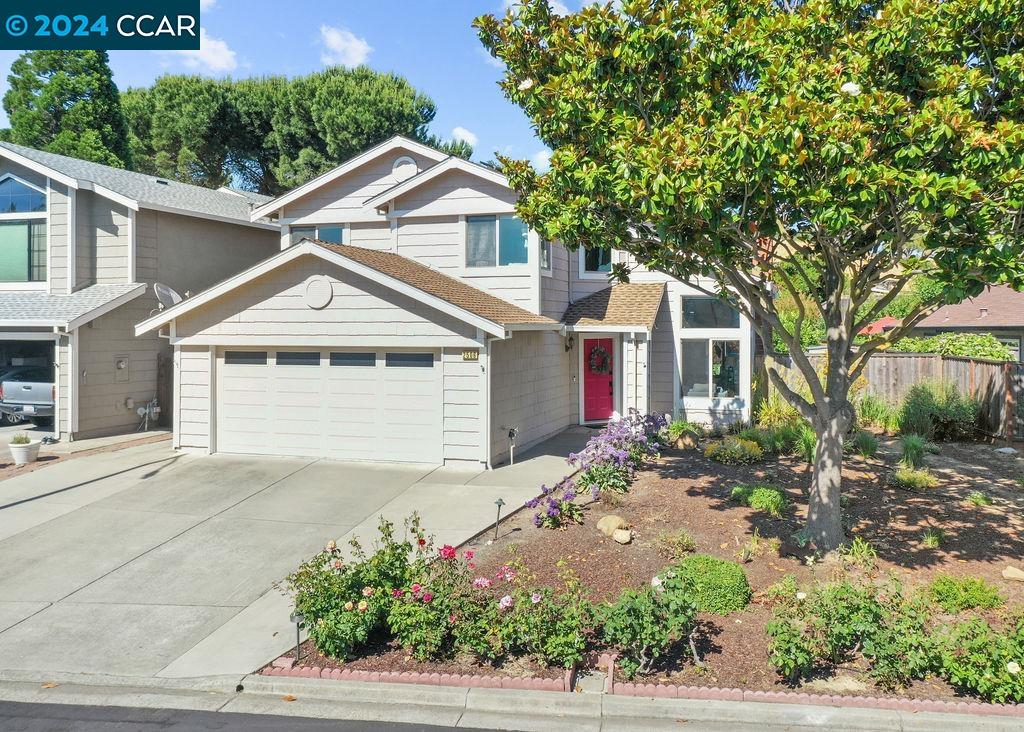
(40, 310)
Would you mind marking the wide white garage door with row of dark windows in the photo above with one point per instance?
(344, 405)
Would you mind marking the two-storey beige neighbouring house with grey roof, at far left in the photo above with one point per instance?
(80, 244)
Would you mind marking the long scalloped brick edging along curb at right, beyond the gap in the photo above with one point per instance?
(607, 662)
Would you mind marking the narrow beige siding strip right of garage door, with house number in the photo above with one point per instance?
(464, 384)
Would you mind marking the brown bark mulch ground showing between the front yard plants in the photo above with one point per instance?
(684, 490)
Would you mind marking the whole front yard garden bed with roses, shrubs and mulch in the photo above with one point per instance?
(697, 575)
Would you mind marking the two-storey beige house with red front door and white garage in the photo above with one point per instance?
(411, 317)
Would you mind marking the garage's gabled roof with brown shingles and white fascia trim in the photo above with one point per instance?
(395, 272)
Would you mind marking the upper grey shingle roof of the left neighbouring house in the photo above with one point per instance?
(137, 190)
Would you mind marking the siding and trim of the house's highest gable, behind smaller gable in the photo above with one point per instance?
(343, 200)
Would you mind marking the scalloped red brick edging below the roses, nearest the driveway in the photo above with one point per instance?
(282, 668)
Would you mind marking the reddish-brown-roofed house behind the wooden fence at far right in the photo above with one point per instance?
(999, 311)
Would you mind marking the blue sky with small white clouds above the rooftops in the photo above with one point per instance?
(431, 42)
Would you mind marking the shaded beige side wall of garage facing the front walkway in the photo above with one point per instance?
(533, 390)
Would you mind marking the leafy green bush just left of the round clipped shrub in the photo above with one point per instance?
(645, 624)
